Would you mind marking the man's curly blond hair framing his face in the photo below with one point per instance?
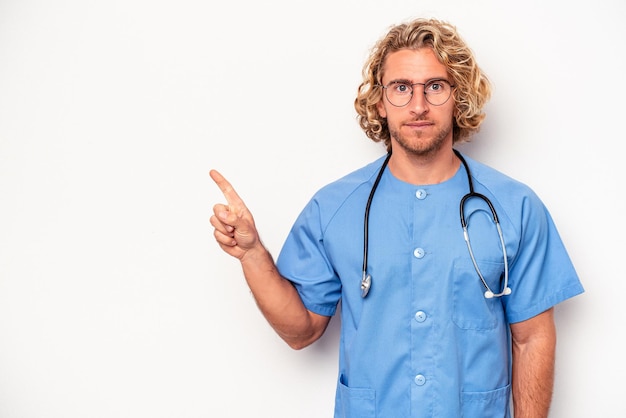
(472, 88)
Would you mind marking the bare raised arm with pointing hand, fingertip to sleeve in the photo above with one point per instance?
(277, 298)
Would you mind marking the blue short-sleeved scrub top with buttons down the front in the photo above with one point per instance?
(425, 342)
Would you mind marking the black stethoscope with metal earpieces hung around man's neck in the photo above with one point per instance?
(366, 280)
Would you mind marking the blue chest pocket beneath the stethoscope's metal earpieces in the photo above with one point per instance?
(472, 311)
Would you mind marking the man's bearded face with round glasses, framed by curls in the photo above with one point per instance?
(418, 128)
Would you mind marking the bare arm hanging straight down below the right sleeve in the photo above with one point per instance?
(534, 343)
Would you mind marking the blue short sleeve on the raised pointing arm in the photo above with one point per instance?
(303, 261)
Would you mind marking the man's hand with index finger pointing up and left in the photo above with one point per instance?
(235, 230)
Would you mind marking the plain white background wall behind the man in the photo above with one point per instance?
(115, 300)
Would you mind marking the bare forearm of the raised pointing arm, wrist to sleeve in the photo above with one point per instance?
(279, 300)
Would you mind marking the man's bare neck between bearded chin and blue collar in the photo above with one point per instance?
(424, 169)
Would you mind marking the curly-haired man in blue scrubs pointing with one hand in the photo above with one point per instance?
(433, 325)
